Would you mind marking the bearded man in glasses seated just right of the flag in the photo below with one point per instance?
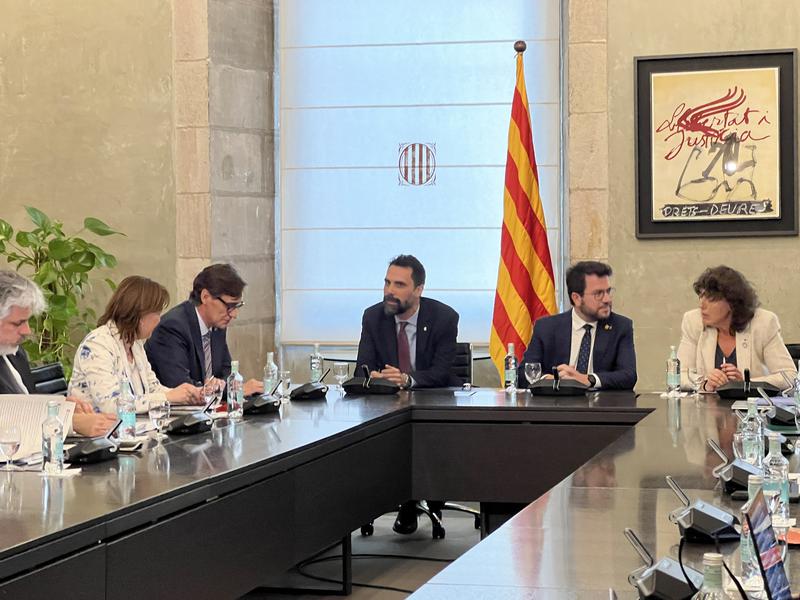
(588, 343)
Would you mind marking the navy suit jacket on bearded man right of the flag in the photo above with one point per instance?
(613, 358)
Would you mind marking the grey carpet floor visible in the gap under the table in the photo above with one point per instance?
(400, 573)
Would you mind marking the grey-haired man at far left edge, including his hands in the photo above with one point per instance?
(21, 299)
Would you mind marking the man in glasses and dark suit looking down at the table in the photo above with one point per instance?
(189, 345)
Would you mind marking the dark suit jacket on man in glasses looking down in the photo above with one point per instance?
(175, 350)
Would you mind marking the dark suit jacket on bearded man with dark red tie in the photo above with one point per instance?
(437, 330)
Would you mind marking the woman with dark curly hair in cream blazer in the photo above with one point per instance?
(729, 334)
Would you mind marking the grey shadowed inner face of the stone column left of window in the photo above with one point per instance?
(241, 38)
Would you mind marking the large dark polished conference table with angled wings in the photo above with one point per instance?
(218, 514)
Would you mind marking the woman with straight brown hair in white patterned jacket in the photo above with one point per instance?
(116, 348)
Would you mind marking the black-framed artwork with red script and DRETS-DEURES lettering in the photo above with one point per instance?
(715, 145)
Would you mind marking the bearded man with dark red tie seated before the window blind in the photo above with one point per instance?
(411, 341)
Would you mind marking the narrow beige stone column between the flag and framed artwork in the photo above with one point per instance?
(588, 130)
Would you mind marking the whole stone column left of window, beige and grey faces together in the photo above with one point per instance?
(224, 156)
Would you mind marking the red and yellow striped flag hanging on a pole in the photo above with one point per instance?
(525, 283)
